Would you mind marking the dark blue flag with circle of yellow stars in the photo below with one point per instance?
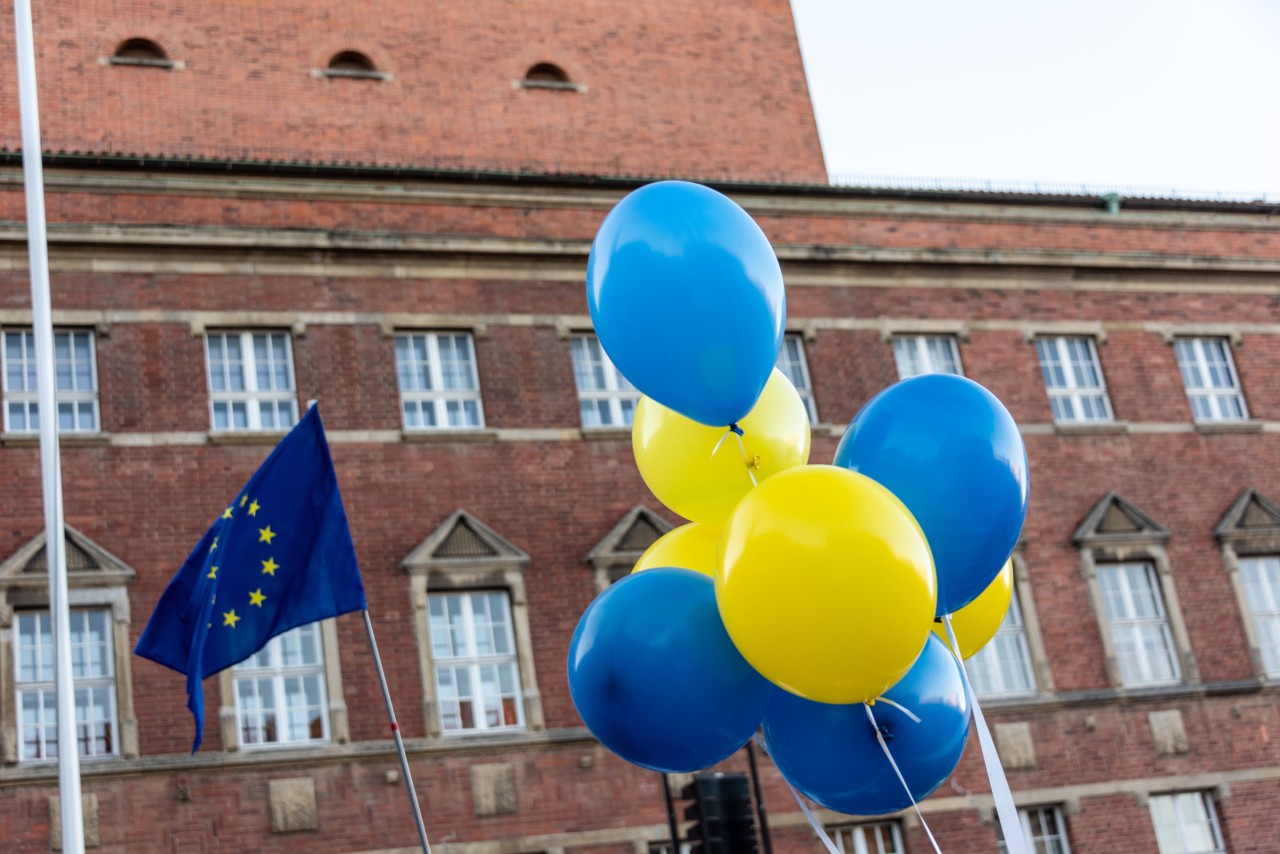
(278, 558)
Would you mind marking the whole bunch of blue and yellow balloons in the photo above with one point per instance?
(798, 595)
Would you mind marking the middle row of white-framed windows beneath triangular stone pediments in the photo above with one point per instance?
(281, 692)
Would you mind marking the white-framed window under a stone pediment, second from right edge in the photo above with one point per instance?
(1139, 625)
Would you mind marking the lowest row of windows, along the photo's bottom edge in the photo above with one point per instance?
(1186, 823)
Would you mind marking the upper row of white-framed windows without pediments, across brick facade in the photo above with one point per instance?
(252, 381)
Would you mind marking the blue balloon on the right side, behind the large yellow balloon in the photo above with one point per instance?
(952, 453)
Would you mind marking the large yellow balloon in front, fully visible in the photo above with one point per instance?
(826, 584)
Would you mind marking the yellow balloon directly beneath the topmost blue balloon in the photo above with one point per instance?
(675, 454)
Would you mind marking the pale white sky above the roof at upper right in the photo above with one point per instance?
(1150, 94)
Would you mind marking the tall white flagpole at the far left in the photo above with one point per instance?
(51, 464)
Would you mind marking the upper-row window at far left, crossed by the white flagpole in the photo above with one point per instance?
(75, 382)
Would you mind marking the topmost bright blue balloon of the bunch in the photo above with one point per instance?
(688, 300)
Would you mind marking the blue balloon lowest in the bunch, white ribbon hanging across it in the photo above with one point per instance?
(831, 755)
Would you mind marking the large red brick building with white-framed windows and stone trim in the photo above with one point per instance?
(388, 209)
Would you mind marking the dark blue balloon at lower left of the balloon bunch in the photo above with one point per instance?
(656, 677)
